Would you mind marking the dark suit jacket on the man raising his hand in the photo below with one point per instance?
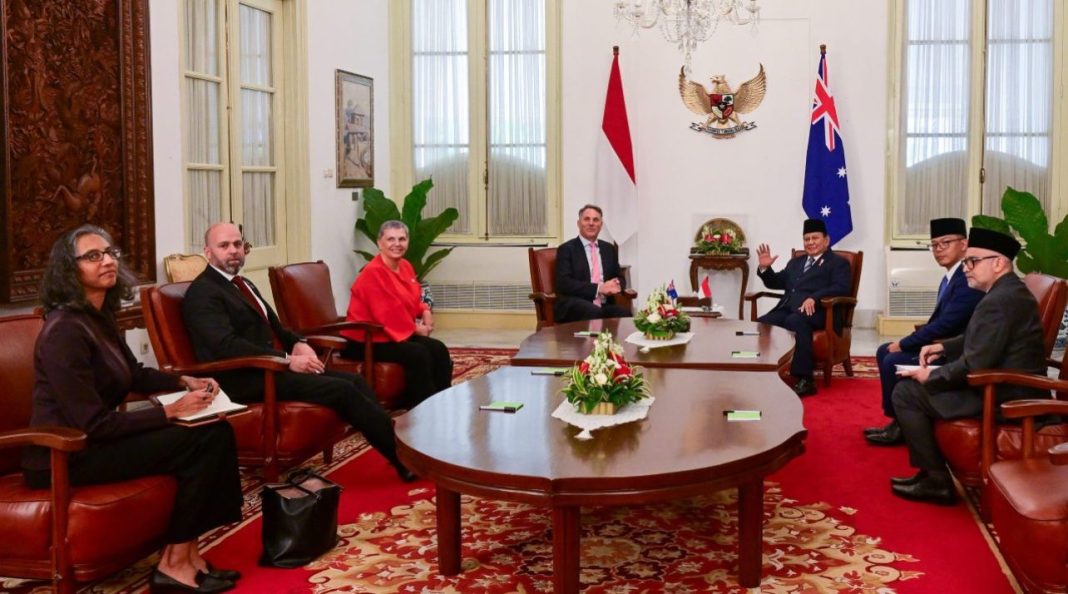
(830, 277)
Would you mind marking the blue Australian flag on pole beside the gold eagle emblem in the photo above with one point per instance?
(826, 183)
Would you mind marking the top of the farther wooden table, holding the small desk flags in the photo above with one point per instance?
(714, 339)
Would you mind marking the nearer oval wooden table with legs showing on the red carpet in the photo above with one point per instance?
(684, 448)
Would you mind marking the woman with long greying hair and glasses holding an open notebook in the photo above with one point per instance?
(85, 370)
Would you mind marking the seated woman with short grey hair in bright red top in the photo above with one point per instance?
(388, 293)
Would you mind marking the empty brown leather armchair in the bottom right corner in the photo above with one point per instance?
(1029, 504)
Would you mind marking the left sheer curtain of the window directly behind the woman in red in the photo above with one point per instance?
(441, 105)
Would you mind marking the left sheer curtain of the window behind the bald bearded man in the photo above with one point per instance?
(202, 147)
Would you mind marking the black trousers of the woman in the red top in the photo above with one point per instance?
(428, 367)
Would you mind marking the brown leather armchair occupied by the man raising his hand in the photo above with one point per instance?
(829, 347)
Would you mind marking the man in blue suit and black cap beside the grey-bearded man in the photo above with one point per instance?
(953, 310)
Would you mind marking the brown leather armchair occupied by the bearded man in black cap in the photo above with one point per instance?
(963, 442)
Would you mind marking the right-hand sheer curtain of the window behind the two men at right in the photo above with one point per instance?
(1019, 100)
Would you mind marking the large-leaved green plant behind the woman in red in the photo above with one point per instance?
(422, 232)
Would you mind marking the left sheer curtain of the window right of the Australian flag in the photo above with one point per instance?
(937, 111)
